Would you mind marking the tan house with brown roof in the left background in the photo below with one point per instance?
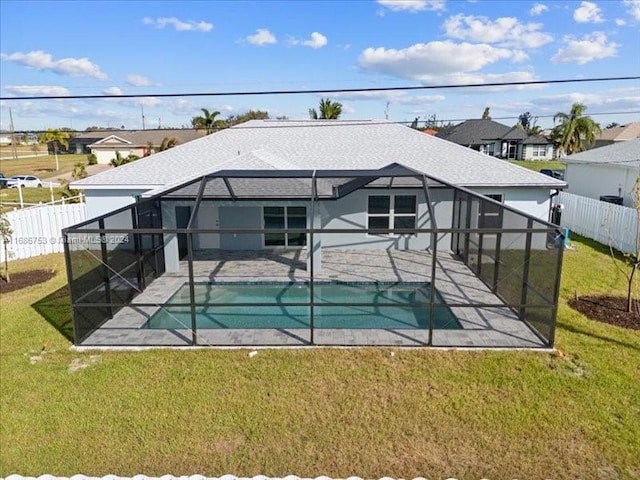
(105, 143)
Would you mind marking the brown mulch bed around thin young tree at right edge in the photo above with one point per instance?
(611, 310)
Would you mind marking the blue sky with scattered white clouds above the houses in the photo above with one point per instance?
(156, 47)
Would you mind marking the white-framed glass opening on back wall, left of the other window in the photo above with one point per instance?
(282, 218)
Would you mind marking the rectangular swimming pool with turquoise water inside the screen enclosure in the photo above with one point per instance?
(389, 306)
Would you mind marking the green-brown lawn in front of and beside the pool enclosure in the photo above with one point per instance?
(310, 412)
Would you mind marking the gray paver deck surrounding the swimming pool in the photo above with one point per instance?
(486, 327)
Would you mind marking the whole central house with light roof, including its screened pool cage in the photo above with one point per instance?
(316, 232)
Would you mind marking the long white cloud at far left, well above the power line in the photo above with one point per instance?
(40, 60)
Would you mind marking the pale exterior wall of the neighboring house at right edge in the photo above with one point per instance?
(595, 180)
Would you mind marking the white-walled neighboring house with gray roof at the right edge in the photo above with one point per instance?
(610, 171)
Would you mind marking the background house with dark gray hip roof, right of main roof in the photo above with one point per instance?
(498, 140)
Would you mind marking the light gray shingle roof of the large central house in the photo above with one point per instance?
(319, 145)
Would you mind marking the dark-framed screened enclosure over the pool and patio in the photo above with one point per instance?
(291, 258)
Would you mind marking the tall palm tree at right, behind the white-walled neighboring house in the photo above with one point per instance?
(574, 130)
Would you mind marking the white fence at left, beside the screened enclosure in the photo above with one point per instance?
(37, 230)
